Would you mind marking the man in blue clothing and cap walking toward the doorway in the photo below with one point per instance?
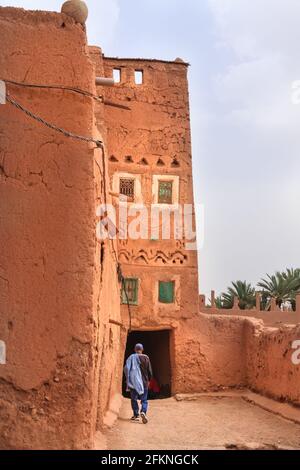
(138, 372)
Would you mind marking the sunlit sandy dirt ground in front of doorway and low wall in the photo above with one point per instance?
(209, 423)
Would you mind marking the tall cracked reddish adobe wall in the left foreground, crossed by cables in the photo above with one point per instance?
(58, 289)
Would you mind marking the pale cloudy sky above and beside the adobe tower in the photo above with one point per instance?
(244, 57)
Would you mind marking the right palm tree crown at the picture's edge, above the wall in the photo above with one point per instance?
(283, 286)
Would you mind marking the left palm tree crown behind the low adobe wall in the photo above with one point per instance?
(243, 291)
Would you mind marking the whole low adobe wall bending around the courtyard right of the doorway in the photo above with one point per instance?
(217, 351)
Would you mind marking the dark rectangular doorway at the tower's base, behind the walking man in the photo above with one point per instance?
(157, 347)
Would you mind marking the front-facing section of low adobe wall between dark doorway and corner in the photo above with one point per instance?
(209, 353)
